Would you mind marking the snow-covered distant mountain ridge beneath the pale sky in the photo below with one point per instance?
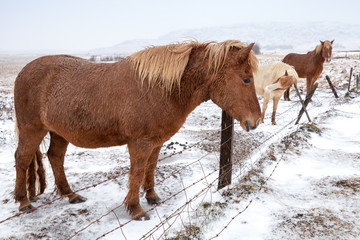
(275, 37)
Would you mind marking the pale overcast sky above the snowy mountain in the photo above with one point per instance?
(76, 25)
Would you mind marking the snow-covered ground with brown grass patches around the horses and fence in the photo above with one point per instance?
(289, 181)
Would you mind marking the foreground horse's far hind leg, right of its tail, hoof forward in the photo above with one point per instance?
(56, 154)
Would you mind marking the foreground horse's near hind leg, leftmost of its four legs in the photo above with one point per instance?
(29, 141)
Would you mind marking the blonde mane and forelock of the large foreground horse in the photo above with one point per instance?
(165, 65)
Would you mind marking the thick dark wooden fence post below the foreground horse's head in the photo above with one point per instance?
(227, 130)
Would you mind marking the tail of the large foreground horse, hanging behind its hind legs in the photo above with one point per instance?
(35, 174)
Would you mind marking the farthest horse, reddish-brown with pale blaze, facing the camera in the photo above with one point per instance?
(309, 65)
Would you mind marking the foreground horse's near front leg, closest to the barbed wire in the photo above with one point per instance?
(139, 154)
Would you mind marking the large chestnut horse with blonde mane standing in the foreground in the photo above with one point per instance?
(140, 101)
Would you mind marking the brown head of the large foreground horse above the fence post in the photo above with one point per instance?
(233, 87)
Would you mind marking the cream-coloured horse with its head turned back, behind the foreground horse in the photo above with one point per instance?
(271, 81)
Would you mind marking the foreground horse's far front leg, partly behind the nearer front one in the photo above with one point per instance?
(151, 196)
